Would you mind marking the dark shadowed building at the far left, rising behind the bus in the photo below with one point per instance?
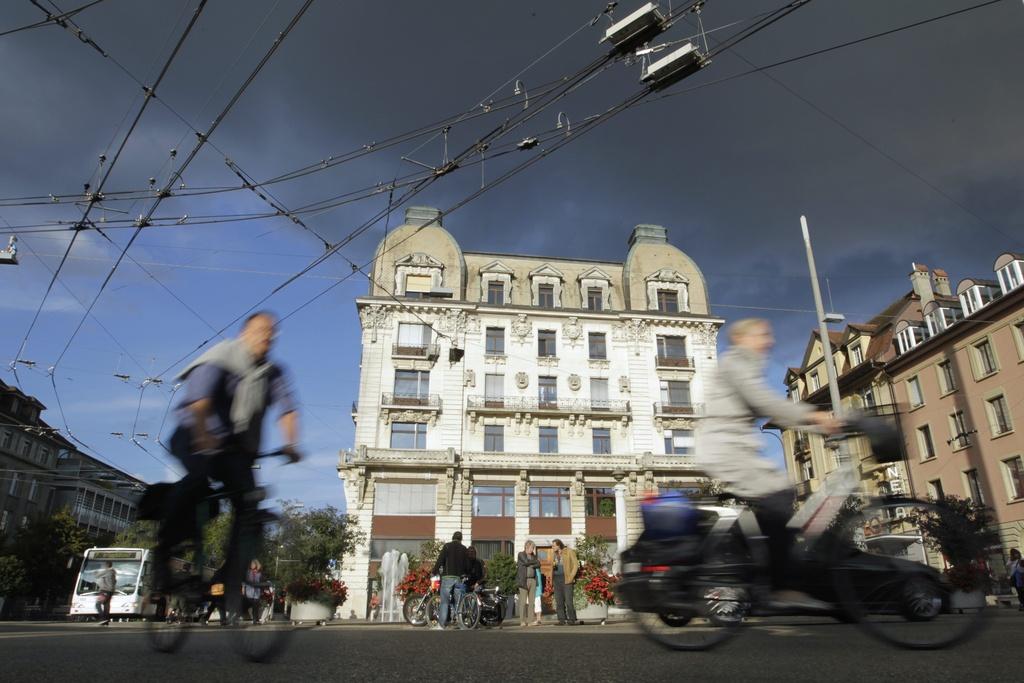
(42, 473)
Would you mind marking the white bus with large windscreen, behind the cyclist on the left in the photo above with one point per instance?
(134, 570)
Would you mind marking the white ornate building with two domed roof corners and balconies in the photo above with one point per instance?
(576, 394)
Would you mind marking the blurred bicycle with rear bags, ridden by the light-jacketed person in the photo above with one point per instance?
(701, 569)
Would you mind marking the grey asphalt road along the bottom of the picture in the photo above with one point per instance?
(791, 650)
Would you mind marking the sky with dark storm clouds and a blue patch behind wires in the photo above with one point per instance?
(905, 149)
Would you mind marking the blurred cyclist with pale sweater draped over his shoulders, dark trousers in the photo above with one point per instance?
(228, 392)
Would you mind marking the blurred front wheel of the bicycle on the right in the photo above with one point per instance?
(885, 576)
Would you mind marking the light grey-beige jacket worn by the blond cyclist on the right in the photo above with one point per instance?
(729, 446)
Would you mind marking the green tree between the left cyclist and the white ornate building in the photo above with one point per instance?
(306, 542)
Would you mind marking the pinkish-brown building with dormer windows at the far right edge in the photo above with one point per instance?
(959, 380)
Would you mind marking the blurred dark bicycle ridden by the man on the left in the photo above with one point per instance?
(186, 603)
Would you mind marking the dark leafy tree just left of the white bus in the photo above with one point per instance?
(49, 549)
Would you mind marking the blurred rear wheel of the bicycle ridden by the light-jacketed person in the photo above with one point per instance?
(716, 600)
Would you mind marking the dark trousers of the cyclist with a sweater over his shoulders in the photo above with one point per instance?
(232, 468)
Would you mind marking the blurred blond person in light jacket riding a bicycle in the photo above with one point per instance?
(730, 445)
